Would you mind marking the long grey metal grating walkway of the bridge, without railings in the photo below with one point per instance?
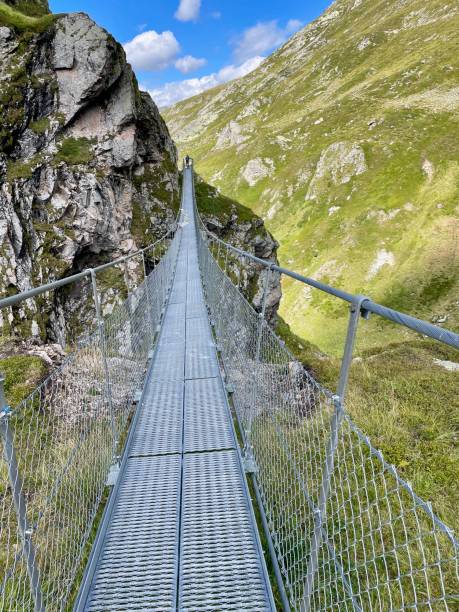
(180, 534)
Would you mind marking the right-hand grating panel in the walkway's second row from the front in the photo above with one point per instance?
(207, 420)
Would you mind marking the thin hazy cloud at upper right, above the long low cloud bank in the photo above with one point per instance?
(263, 37)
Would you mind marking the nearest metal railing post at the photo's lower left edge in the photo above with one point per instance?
(25, 532)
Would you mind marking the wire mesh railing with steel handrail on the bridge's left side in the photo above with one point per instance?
(60, 444)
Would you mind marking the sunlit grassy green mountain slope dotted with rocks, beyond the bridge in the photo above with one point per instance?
(346, 142)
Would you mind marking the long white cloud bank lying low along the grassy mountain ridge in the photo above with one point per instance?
(170, 93)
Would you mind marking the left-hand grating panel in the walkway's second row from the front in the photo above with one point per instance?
(159, 428)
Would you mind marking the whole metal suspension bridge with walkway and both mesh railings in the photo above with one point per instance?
(131, 477)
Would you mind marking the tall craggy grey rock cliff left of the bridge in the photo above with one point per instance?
(87, 167)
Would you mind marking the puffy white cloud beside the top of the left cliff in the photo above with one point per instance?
(152, 51)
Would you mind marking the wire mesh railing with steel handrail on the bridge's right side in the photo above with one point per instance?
(346, 531)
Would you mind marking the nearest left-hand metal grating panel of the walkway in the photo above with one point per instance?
(137, 567)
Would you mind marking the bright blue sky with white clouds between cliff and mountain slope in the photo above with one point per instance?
(181, 47)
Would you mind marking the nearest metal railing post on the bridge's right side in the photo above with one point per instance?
(356, 310)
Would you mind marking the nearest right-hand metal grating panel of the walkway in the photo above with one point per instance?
(220, 568)
